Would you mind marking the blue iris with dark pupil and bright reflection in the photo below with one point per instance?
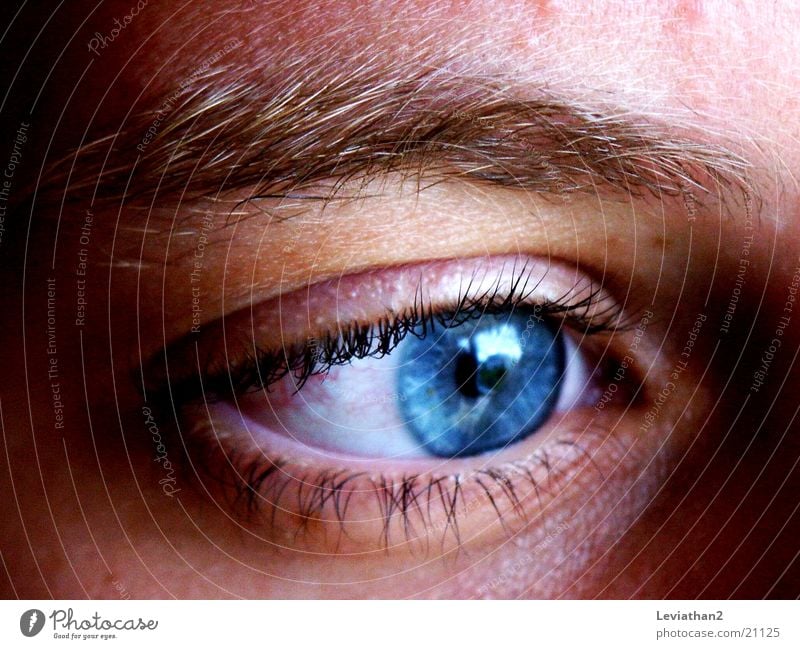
(480, 385)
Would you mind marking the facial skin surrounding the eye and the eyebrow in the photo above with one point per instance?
(686, 510)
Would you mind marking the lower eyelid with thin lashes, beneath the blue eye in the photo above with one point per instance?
(326, 508)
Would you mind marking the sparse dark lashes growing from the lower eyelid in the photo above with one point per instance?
(417, 504)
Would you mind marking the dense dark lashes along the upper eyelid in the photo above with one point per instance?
(262, 368)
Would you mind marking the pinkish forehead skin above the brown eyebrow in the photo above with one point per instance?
(729, 71)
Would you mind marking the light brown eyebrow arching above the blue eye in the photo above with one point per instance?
(312, 120)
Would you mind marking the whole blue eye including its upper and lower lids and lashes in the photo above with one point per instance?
(427, 403)
